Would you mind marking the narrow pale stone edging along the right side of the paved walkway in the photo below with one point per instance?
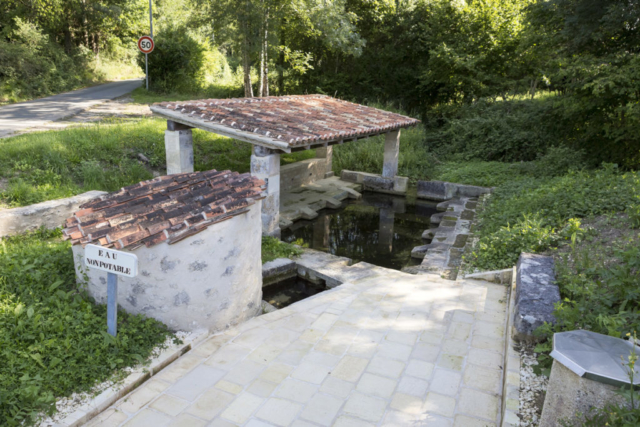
(512, 362)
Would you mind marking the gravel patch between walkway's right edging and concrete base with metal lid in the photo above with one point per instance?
(532, 389)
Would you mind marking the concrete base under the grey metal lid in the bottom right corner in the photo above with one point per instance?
(568, 394)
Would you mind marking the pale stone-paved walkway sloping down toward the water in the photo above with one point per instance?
(392, 349)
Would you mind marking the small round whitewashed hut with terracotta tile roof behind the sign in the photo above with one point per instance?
(197, 237)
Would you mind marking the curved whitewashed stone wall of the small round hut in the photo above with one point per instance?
(211, 280)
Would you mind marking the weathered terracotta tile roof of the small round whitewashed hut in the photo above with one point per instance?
(168, 208)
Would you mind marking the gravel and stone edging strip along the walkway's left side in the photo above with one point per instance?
(135, 379)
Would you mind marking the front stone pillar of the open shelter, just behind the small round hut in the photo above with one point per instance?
(265, 165)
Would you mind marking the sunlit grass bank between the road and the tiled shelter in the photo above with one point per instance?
(42, 166)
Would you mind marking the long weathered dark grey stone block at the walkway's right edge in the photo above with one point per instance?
(536, 294)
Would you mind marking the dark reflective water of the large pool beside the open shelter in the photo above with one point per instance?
(378, 229)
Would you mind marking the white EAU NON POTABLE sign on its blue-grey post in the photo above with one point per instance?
(115, 263)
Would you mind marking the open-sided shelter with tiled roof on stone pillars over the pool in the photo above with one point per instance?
(275, 125)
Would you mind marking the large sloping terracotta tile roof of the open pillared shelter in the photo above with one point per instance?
(302, 120)
